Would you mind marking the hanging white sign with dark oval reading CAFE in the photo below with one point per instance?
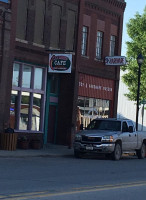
(60, 63)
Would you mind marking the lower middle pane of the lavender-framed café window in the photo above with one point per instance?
(24, 110)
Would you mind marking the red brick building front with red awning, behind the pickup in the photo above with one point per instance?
(100, 35)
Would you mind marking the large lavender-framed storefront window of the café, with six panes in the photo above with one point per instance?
(27, 106)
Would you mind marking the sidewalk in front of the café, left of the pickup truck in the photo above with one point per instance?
(50, 150)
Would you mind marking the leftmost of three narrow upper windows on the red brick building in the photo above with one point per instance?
(84, 40)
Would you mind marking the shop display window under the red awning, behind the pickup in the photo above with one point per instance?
(91, 108)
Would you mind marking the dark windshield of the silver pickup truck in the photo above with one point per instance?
(105, 125)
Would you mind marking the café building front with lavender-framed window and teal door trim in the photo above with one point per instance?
(37, 96)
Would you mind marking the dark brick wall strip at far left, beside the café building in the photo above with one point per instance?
(6, 60)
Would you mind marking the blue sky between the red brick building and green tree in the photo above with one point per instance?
(132, 7)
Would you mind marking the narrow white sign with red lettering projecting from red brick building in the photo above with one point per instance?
(115, 60)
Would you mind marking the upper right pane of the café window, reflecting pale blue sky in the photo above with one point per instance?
(38, 78)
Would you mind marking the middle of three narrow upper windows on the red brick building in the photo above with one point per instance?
(99, 43)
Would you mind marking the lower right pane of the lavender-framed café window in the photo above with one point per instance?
(36, 112)
